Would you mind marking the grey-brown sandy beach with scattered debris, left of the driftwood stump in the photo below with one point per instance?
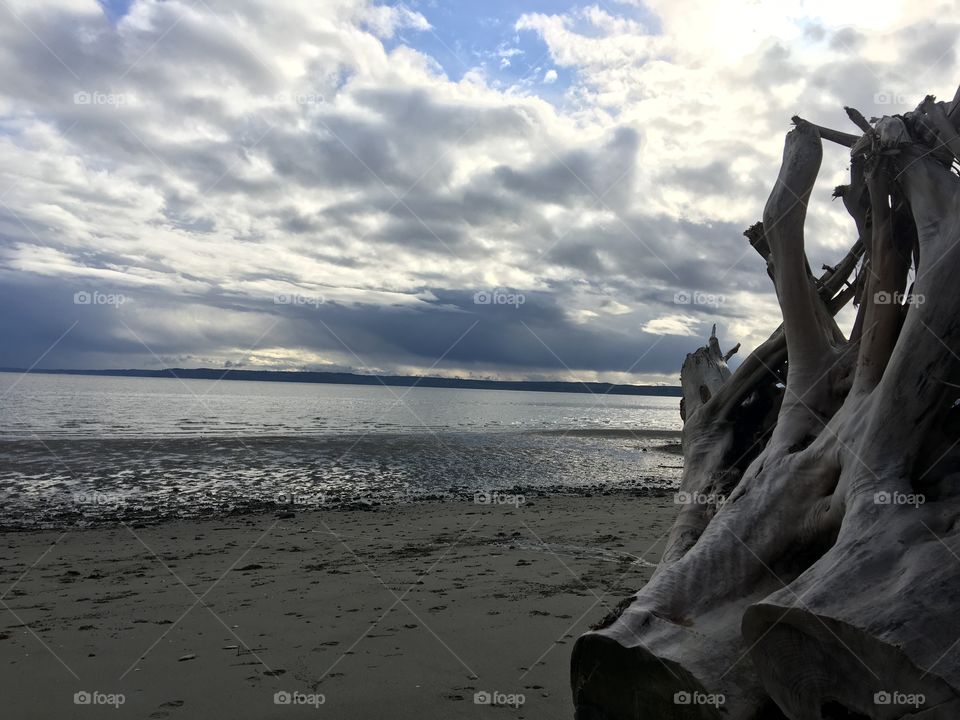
(406, 611)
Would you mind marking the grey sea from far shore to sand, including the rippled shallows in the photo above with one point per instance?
(77, 450)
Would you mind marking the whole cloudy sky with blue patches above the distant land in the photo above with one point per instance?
(535, 189)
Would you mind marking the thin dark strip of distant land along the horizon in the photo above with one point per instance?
(598, 388)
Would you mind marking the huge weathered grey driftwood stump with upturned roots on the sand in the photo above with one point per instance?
(813, 570)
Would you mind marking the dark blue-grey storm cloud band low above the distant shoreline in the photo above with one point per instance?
(536, 337)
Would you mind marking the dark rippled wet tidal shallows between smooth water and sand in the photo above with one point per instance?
(65, 483)
